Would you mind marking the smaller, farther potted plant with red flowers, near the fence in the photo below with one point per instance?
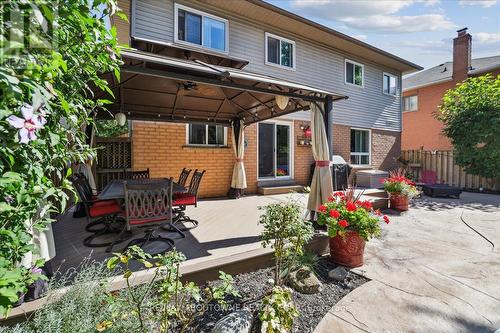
(400, 189)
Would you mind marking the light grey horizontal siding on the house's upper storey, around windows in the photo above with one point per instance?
(316, 65)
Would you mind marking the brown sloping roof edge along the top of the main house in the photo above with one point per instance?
(264, 12)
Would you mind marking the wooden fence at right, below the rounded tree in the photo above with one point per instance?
(447, 172)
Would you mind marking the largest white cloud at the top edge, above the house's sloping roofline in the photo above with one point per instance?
(375, 15)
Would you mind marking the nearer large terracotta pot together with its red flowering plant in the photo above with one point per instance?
(350, 222)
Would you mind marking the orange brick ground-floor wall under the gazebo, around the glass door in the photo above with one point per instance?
(162, 148)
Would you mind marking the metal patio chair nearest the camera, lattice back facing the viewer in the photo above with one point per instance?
(148, 206)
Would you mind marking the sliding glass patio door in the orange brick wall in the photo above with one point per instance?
(274, 150)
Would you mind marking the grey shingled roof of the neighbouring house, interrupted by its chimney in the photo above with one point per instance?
(444, 72)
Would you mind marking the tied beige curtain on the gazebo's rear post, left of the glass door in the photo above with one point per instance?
(239, 179)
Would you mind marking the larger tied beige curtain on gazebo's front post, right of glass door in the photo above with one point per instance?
(321, 185)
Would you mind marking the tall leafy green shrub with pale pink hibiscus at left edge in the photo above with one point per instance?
(47, 74)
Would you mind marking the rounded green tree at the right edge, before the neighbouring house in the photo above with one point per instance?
(471, 117)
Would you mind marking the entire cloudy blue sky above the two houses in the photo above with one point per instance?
(418, 30)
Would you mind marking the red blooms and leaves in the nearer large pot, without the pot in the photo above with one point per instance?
(345, 211)
